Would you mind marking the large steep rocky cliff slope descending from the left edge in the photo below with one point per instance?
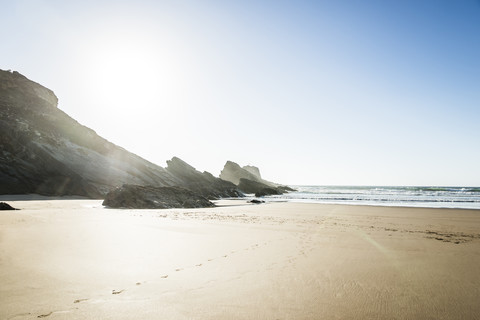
(44, 151)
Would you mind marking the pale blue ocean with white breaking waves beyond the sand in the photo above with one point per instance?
(428, 197)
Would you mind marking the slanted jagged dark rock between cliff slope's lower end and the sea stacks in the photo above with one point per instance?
(203, 183)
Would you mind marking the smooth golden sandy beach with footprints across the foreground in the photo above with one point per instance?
(74, 259)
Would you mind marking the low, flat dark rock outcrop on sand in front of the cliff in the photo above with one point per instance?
(147, 197)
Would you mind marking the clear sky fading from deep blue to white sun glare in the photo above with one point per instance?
(351, 92)
